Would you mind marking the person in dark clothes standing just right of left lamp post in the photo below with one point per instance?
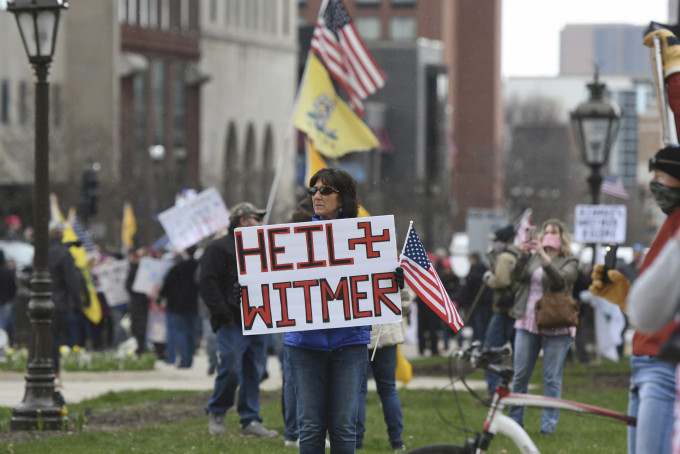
(66, 290)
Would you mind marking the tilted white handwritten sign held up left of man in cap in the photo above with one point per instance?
(195, 219)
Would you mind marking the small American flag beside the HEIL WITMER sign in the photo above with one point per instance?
(421, 276)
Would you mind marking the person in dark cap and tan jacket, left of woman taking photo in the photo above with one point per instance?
(502, 256)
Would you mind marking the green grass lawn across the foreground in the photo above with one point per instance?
(429, 417)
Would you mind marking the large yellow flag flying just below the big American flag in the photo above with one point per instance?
(330, 123)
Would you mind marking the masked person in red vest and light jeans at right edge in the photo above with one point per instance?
(652, 381)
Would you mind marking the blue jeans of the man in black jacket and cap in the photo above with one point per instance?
(241, 360)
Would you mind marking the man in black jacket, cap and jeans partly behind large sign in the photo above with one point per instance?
(241, 357)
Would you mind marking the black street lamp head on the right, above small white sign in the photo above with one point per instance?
(595, 124)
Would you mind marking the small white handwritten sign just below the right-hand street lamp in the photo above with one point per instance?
(600, 223)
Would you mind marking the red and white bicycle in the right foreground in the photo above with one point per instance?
(496, 421)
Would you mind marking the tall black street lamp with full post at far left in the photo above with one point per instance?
(38, 22)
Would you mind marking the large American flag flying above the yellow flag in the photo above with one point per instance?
(339, 46)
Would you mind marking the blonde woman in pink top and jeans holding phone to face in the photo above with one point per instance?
(545, 263)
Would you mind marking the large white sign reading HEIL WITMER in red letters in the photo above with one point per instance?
(316, 275)
